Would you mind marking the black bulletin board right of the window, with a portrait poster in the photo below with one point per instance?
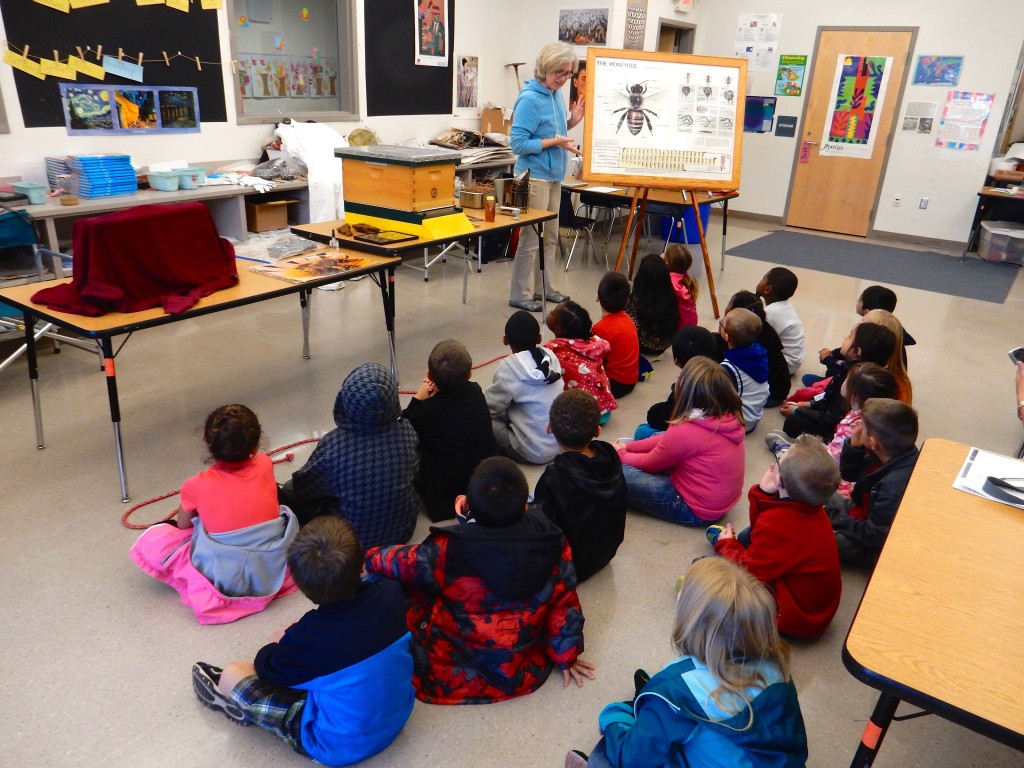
(395, 84)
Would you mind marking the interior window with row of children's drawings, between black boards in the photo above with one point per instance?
(294, 59)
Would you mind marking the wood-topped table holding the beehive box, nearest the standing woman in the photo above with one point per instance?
(323, 233)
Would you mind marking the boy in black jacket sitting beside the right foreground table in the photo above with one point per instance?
(879, 457)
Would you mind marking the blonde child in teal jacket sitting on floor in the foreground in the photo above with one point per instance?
(729, 700)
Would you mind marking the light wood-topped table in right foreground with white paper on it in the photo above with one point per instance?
(942, 623)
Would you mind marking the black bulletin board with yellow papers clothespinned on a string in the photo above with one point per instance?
(119, 24)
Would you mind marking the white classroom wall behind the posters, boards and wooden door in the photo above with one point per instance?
(989, 34)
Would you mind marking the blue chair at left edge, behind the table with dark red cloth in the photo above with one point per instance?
(21, 251)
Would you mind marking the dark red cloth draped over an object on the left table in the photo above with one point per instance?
(147, 257)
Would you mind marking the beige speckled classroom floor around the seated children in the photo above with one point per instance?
(97, 656)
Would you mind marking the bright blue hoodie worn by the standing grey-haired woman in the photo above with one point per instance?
(539, 114)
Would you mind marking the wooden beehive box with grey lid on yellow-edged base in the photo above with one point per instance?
(404, 179)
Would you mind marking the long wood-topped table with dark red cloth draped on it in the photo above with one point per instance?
(252, 288)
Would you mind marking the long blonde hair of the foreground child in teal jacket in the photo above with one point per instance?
(726, 619)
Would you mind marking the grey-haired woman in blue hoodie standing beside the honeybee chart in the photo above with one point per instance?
(539, 129)
